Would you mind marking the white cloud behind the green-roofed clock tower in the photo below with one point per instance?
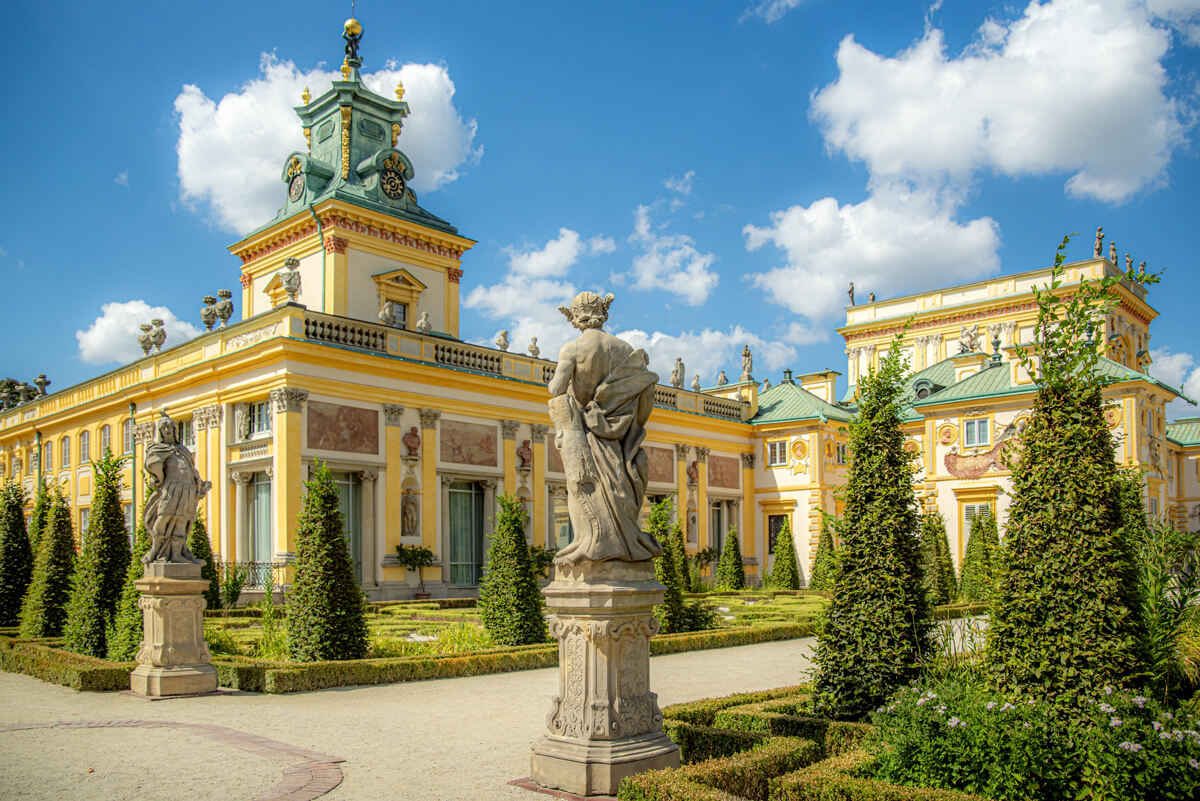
(231, 150)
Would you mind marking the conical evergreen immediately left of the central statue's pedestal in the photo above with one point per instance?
(511, 605)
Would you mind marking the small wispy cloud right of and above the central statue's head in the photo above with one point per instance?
(670, 262)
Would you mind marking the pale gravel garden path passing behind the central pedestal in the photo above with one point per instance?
(430, 740)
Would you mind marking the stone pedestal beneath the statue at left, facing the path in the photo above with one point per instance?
(175, 659)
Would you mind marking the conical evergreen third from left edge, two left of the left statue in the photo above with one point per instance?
(104, 561)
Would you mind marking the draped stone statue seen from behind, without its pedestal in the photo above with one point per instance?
(602, 396)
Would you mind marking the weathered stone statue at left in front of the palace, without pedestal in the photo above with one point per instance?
(177, 490)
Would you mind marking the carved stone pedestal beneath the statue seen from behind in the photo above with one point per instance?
(604, 724)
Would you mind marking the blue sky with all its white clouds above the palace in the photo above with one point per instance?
(724, 168)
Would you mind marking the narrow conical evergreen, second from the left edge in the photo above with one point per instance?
(45, 610)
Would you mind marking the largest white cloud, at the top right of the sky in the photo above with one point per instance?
(1030, 97)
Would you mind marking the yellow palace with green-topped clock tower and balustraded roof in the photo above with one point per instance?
(349, 352)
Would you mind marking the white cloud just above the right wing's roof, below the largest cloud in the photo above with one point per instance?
(895, 242)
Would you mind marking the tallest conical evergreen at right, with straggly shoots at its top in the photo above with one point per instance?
(1064, 618)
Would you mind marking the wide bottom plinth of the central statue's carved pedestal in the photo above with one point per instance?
(597, 767)
